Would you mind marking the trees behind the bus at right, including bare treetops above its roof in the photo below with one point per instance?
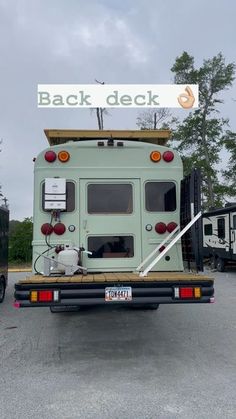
(202, 136)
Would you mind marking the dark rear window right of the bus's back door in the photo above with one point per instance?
(160, 196)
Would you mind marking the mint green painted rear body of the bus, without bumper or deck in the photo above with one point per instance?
(128, 166)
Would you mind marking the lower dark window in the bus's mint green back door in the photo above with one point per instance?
(111, 246)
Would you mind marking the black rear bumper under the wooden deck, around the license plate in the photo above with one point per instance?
(85, 294)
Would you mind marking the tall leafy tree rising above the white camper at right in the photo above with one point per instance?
(202, 134)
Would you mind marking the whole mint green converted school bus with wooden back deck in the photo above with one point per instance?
(107, 223)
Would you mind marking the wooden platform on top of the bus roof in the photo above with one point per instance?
(62, 136)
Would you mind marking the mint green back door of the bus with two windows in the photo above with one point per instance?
(110, 223)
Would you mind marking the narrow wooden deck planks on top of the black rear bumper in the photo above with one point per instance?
(117, 277)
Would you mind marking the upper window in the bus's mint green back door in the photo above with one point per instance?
(110, 198)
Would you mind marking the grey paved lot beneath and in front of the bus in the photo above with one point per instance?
(176, 362)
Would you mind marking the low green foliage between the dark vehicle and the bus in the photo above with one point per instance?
(20, 240)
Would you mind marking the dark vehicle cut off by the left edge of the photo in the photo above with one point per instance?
(4, 229)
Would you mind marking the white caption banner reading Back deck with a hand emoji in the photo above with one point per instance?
(118, 96)
